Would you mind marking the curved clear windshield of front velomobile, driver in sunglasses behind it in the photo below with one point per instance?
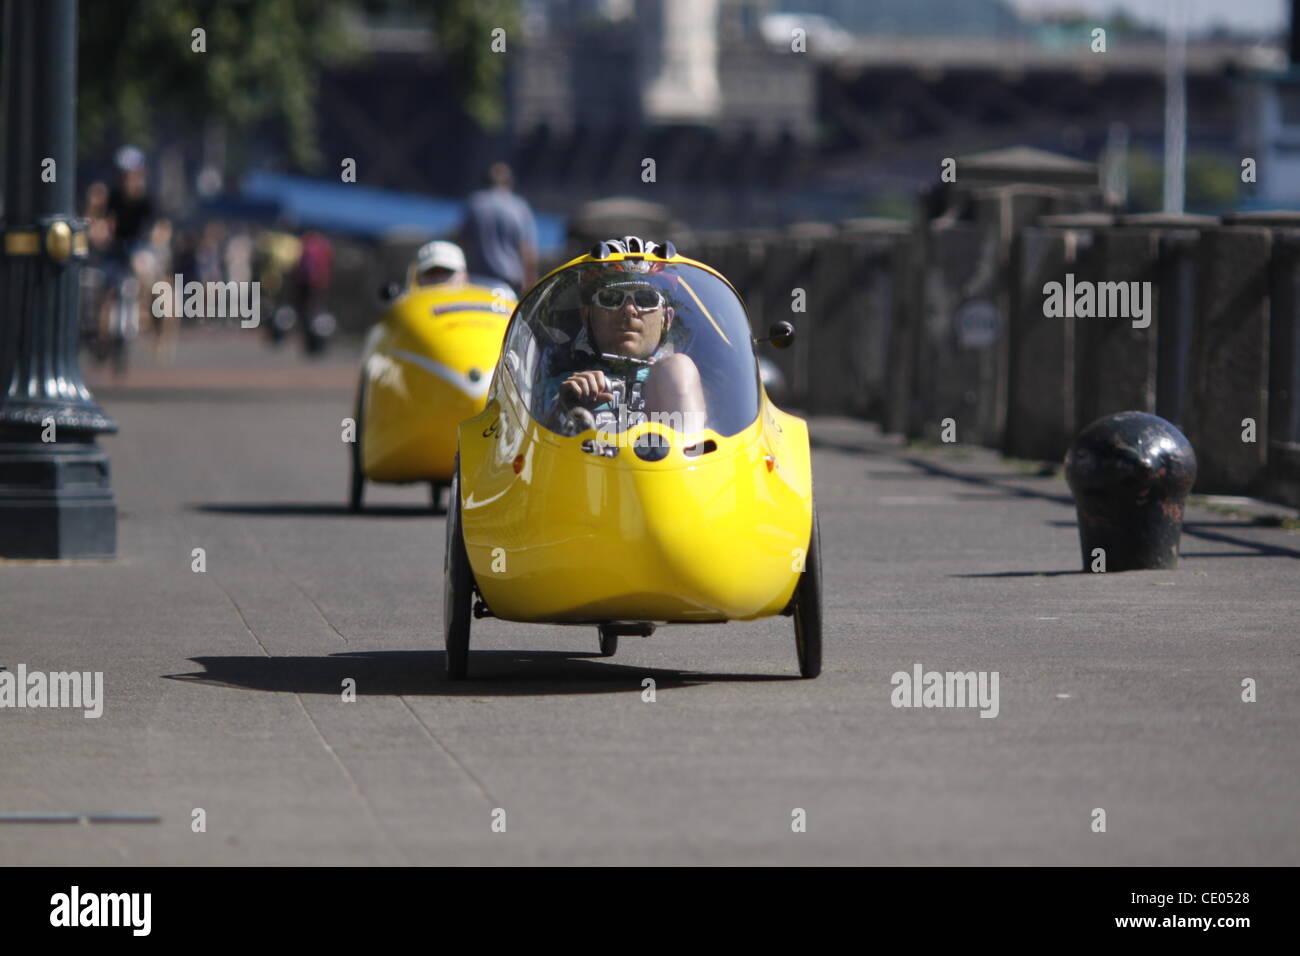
(612, 345)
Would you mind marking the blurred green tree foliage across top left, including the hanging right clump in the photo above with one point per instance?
(263, 60)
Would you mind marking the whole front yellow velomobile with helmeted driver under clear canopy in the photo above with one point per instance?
(629, 469)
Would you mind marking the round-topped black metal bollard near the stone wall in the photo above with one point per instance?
(1130, 475)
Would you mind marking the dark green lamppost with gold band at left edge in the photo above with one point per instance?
(55, 494)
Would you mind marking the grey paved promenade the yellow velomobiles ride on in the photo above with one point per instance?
(1117, 691)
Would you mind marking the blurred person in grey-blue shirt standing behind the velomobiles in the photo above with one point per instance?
(499, 232)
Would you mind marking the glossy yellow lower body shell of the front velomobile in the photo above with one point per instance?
(558, 535)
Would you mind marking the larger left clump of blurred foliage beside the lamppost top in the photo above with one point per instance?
(262, 60)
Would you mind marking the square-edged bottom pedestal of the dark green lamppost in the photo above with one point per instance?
(57, 501)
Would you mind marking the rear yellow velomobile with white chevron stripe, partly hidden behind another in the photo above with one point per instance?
(427, 366)
